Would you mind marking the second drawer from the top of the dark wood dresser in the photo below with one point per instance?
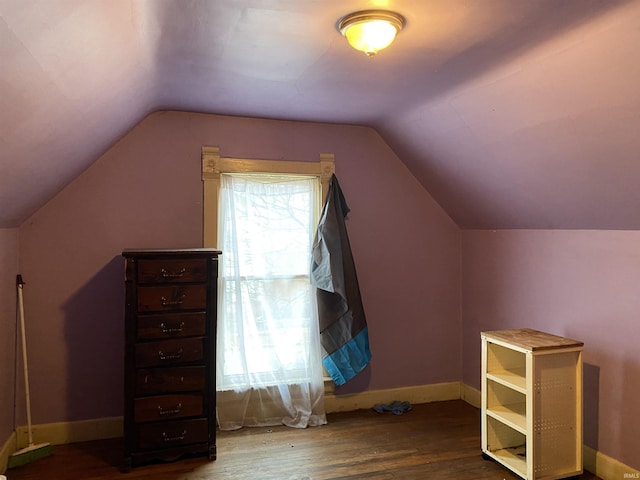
(164, 298)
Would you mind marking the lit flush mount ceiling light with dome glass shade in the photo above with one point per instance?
(370, 31)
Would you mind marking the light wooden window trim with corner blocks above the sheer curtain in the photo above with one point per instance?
(213, 165)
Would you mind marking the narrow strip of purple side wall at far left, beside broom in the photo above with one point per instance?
(8, 272)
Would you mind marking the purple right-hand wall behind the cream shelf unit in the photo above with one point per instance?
(580, 284)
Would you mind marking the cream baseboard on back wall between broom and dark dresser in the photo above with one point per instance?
(70, 432)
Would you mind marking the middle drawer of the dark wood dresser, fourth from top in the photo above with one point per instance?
(169, 352)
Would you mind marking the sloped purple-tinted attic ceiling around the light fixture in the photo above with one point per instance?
(511, 113)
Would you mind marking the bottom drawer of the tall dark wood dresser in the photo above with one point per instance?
(172, 434)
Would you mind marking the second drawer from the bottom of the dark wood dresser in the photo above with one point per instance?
(164, 407)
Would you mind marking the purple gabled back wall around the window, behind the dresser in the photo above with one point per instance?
(146, 191)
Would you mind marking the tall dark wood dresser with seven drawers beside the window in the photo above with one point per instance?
(170, 351)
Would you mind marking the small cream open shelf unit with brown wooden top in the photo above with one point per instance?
(531, 417)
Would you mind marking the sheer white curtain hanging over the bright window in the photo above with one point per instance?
(269, 367)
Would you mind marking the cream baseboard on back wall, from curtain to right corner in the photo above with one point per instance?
(419, 394)
